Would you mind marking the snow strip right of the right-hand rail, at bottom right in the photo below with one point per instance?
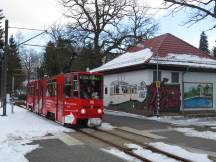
(176, 150)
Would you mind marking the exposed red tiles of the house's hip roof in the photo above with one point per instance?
(168, 43)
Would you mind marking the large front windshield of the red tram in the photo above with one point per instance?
(90, 86)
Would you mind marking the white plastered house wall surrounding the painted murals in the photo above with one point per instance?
(147, 76)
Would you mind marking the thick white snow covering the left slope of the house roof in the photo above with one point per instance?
(126, 59)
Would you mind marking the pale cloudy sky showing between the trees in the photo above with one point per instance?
(41, 14)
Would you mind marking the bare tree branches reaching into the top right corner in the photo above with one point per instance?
(200, 9)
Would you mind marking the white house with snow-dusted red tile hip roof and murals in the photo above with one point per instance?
(194, 71)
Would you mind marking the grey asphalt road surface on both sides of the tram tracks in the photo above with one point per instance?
(56, 150)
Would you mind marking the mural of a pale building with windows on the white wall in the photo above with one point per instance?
(121, 91)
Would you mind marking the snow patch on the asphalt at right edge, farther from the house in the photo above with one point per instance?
(191, 132)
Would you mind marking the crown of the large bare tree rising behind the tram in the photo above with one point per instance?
(107, 24)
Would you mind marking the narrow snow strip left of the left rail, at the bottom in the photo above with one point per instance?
(121, 154)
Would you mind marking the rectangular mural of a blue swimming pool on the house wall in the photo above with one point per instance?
(198, 95)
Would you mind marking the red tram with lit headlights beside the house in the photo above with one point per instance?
(68, 98)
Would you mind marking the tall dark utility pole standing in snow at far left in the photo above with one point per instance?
(4, 76)
